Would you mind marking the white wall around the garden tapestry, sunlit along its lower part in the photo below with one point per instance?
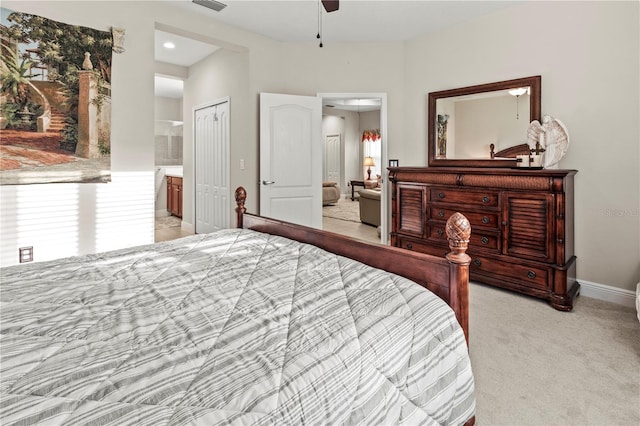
(66, 219)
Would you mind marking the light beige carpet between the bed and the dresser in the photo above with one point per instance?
(534, 365)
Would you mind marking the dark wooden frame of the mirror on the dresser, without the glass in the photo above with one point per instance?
(535, 82)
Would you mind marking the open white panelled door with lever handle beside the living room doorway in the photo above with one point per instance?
(290, 158)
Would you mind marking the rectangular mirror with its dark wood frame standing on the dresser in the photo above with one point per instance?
(464, 122)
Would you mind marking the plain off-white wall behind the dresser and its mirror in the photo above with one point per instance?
(588, 56)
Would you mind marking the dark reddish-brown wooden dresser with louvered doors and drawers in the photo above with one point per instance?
(521, 224)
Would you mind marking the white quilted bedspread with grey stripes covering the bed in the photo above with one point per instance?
(233, 327)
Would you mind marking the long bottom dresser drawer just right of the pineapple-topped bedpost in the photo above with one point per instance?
(523, 275)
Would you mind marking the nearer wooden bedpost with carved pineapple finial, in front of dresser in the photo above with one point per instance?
(458, 231)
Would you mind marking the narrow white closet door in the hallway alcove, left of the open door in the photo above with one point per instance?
(211, 136)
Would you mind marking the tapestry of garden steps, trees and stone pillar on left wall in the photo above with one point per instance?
(55, 101)
